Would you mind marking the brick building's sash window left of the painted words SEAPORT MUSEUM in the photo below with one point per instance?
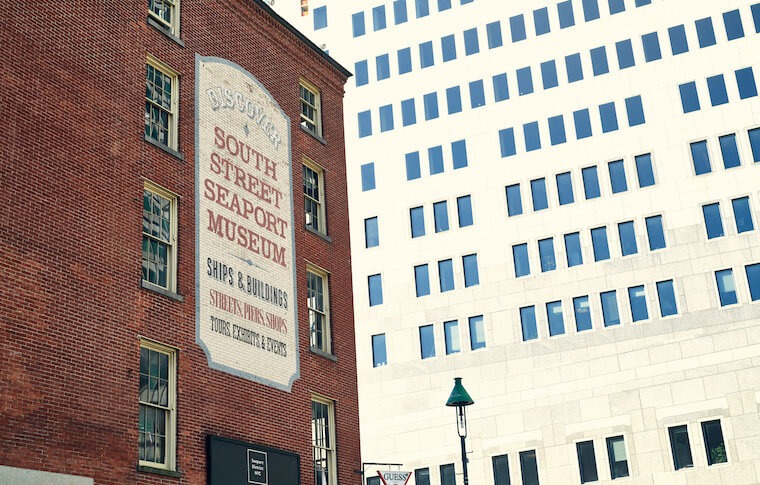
(159, 245)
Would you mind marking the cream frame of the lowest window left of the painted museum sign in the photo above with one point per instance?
(170, 424)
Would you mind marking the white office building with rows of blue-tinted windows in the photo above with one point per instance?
(559, 202)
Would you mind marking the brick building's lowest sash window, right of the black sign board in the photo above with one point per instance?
(323, 440)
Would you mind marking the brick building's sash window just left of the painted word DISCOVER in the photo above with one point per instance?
(161, 104)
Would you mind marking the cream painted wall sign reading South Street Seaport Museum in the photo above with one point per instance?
(245, 246)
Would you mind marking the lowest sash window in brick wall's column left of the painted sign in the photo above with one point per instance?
(157, 402)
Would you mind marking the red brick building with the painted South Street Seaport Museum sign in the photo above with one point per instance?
(174, 248)
